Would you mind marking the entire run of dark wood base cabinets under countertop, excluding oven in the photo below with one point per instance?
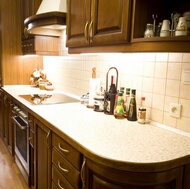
(57, 161)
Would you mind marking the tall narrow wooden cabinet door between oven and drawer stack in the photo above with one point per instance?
(42, 156)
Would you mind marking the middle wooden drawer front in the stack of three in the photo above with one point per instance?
(66, 169)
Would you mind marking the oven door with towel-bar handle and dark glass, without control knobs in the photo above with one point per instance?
(21, 132)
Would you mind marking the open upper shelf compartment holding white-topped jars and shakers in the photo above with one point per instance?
(161, 20)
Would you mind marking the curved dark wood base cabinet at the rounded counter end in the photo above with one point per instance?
(96, 176)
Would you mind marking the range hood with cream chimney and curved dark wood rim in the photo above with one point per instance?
(49, 20)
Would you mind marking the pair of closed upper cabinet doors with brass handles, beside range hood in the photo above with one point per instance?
(95, 22)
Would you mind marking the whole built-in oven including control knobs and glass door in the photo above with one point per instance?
(21, 140)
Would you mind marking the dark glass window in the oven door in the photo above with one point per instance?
(21, 142)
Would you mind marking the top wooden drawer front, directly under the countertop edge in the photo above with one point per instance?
(69, 152)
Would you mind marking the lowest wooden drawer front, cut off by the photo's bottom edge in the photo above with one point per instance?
(59, 181)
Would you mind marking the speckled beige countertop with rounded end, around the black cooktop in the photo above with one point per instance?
(106, 136)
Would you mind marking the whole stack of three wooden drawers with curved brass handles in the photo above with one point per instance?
(66, 164)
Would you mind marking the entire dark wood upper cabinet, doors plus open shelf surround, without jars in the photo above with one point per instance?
(118, 26)
